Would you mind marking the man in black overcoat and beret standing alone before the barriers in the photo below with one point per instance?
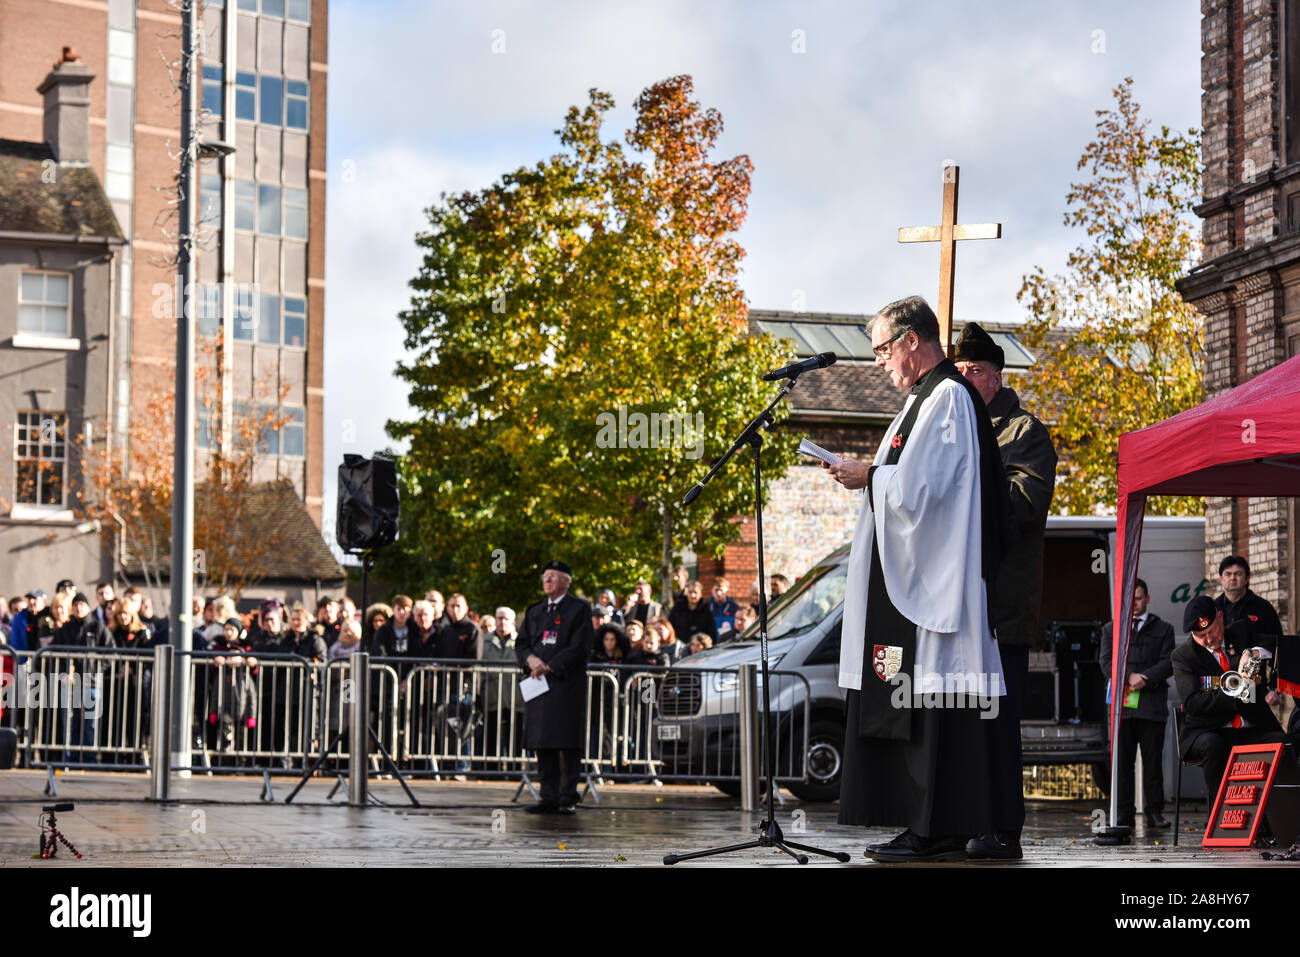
(554, 644)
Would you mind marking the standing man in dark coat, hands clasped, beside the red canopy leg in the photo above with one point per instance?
(1146, 712)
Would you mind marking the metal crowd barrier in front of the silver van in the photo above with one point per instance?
(686, 725)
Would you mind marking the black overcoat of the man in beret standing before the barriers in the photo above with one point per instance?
(564, 640)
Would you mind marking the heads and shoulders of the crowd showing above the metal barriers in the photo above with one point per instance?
(638, 633)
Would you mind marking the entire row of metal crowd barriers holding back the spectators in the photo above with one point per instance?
(436, 718)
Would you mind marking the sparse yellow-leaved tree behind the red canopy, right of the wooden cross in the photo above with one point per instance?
(1119, 349)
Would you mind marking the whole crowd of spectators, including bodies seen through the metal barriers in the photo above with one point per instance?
(228, 701)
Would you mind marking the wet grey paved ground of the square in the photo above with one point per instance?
(222, 822)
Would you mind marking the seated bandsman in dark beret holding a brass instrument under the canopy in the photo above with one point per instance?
(1215, 722)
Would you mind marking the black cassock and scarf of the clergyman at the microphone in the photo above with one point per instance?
(933, 770)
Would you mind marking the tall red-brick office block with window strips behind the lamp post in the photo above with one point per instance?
(263, 209)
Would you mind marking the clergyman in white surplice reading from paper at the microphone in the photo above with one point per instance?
(917, 652)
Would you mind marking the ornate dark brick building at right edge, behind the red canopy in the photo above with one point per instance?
(1249, 284)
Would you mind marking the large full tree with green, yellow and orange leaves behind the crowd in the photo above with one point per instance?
(556, 309)
